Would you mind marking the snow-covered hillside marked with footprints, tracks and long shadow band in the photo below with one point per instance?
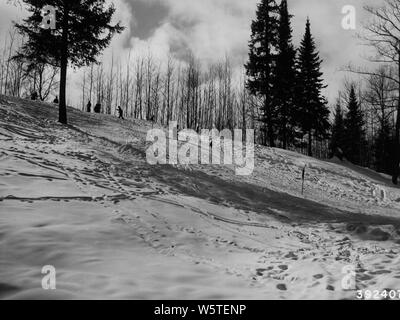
(83, 199)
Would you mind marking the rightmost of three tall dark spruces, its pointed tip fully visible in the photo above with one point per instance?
(313, 113)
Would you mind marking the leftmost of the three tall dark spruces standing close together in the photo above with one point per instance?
(260, 67)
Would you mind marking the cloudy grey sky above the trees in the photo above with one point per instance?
(212, 29)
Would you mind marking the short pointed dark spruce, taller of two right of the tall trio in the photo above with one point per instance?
(354, 129)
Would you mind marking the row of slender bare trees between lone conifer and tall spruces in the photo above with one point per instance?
(195, 96)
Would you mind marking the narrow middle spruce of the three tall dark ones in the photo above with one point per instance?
(285, 78)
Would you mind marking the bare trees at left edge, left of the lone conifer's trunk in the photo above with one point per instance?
(20, 78)
